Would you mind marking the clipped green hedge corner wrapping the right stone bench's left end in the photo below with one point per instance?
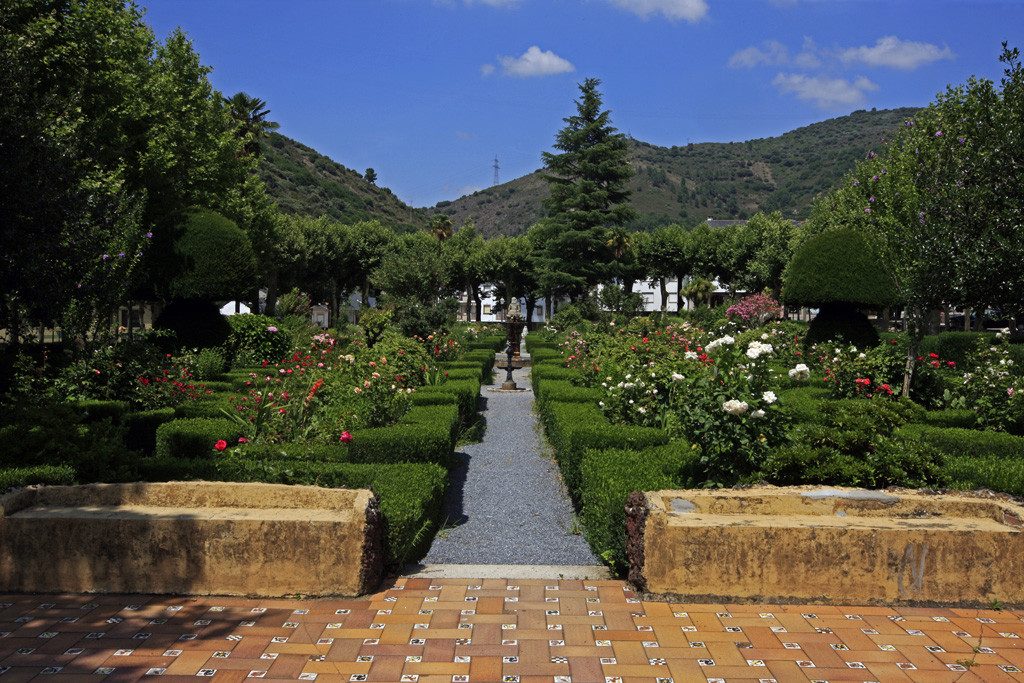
(610, 477)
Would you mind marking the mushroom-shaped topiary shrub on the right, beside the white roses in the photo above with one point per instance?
(839, 272)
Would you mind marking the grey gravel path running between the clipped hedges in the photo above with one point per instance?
(506, 504)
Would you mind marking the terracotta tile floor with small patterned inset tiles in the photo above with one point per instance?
(497, 630)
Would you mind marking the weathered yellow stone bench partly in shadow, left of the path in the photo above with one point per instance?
(191, 538)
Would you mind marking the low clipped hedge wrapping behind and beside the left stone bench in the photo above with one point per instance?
(412, 496)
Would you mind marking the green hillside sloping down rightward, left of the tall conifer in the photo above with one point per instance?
(304, 182)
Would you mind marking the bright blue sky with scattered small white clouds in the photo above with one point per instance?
(429, 93)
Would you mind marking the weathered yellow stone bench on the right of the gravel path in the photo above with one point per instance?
(839, 546)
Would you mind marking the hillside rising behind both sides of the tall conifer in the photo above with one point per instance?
(689, 185)
